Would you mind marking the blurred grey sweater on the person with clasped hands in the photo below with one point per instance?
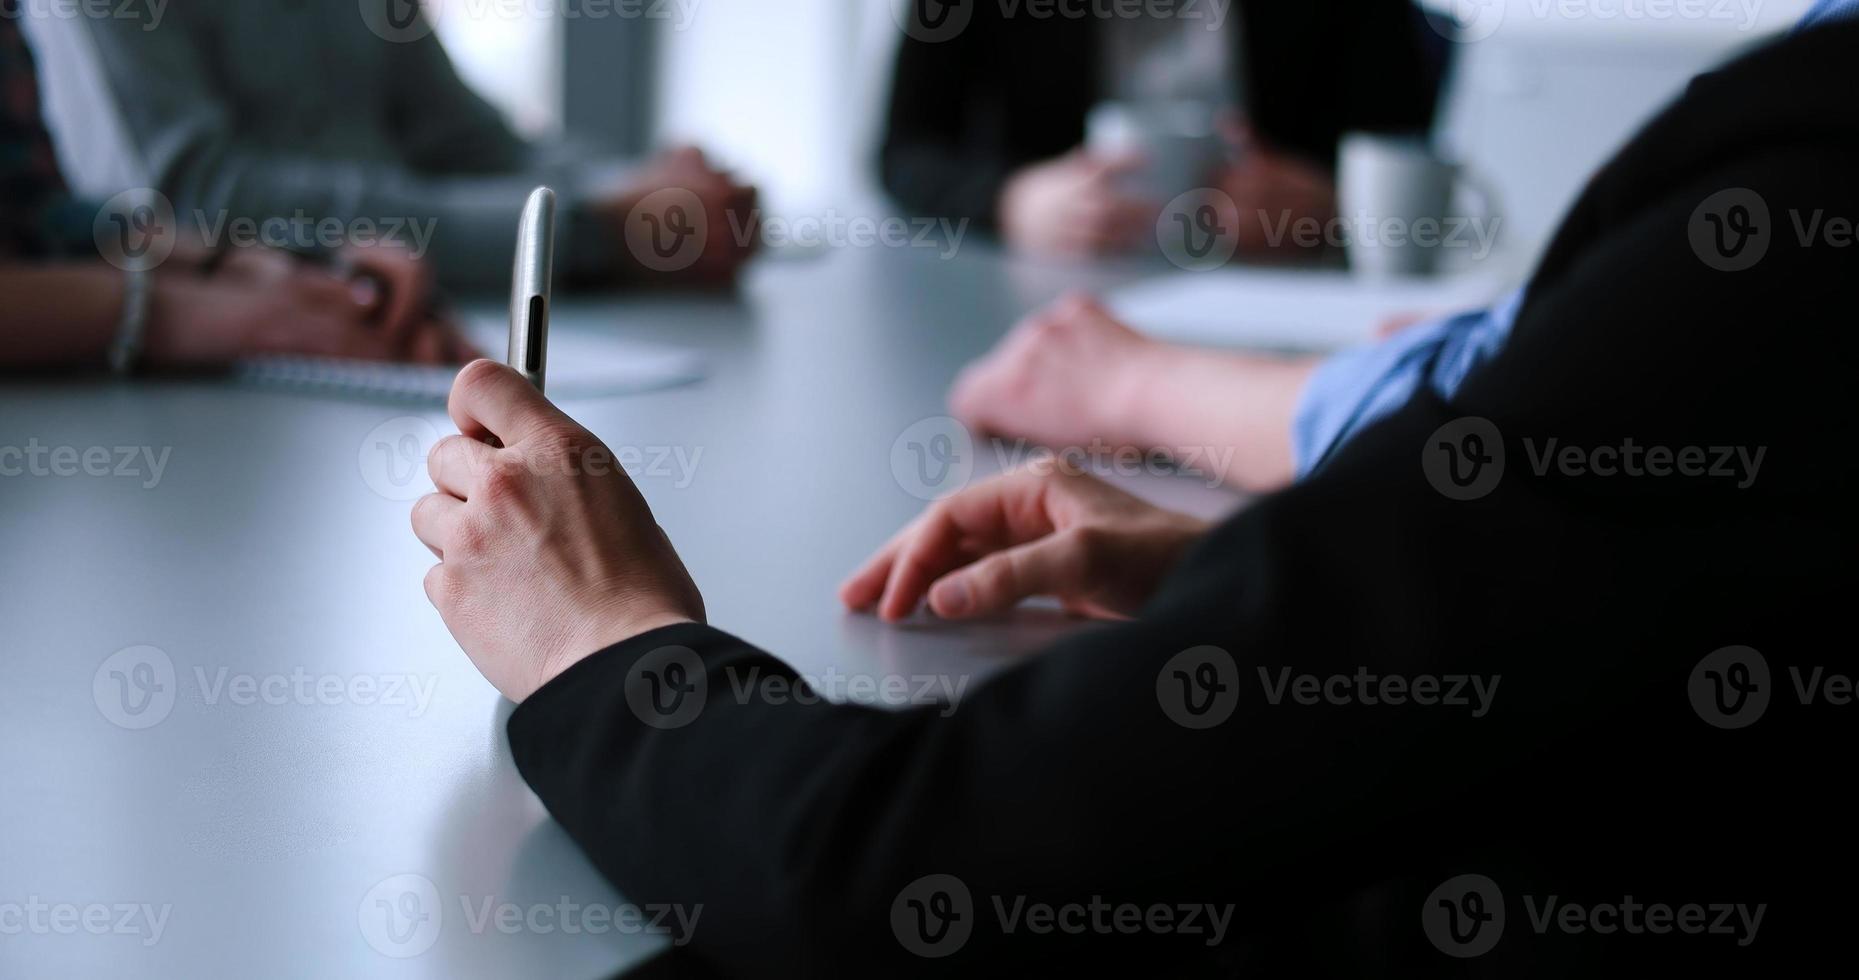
(317, 111)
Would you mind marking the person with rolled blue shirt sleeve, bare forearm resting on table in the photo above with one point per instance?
(1074, 375)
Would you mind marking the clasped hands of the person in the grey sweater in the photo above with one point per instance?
(728, 215)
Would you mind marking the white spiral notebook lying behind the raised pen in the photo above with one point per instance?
(579, 367)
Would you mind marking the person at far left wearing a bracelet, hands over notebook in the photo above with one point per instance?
(64, 308)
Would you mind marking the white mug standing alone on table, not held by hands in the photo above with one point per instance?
(1395, 200)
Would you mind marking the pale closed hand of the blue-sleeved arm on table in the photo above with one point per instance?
(1064, 377)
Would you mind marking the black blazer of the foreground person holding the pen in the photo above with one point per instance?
(1590, 602)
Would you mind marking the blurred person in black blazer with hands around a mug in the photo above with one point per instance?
(992, 107)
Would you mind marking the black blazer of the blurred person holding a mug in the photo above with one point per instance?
(1010, 90)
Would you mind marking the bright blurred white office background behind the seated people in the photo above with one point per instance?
(791, 92)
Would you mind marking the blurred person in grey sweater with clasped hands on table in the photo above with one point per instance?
(358, 114)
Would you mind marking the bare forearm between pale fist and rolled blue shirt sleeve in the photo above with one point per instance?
(1228, 416)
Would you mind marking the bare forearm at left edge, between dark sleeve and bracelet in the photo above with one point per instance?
(59, 317)
